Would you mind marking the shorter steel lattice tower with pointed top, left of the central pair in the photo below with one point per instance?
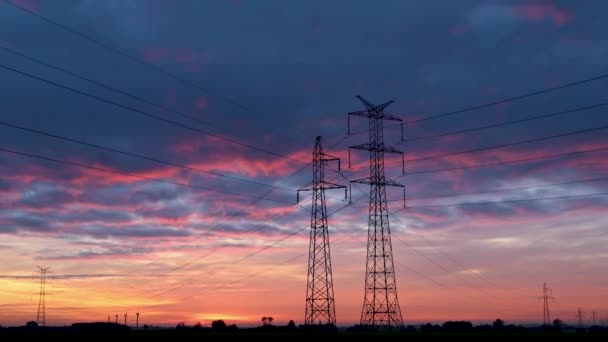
(320, 303)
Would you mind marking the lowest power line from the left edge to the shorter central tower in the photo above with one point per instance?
(95, 168)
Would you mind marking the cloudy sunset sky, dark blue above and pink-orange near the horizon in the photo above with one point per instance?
(236, 91)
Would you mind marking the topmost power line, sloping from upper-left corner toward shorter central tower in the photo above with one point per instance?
(138, 60)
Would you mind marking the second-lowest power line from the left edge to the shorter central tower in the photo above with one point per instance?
(156, 160)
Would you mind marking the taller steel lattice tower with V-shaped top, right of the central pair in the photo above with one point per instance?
(380, 305)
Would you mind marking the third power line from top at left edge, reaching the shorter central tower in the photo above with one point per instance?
(147, 114)
